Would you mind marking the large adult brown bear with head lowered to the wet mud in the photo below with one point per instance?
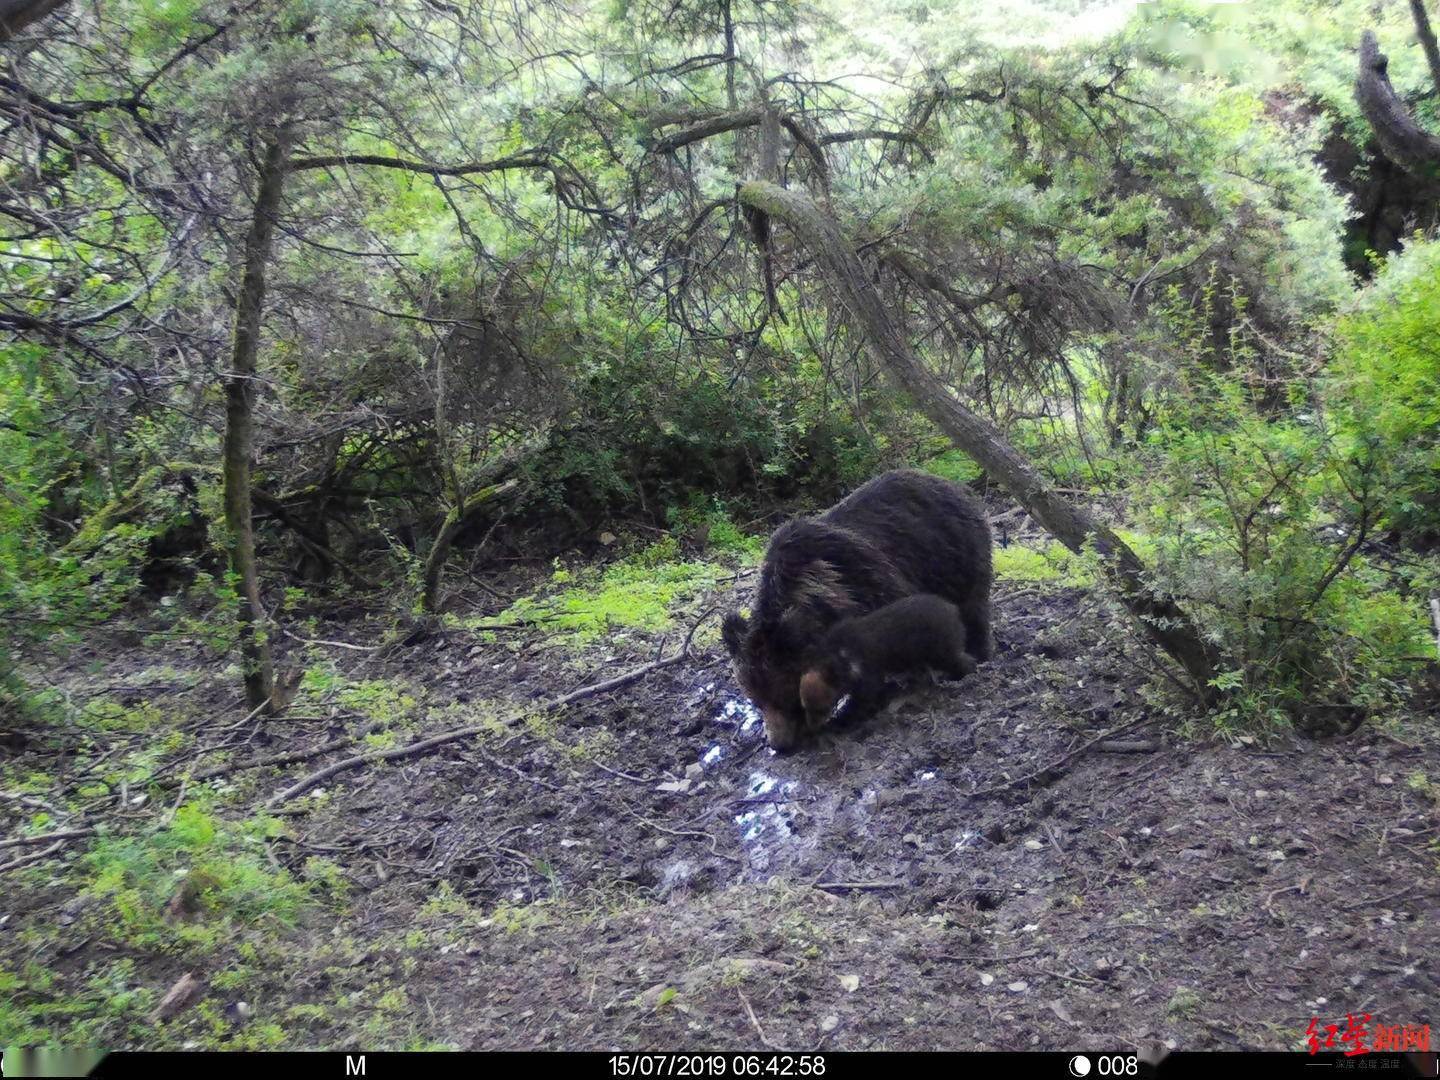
(902, 534)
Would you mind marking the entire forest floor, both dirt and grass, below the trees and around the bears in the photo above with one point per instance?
(640, 872)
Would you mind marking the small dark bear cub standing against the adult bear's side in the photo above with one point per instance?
(922, 633)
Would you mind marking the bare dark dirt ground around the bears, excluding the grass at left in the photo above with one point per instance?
(643, 873)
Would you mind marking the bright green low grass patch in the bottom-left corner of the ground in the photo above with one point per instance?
(201, 895)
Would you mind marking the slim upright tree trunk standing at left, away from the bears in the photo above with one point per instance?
(240, 424)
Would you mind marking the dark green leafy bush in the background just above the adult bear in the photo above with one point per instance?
(644, 440)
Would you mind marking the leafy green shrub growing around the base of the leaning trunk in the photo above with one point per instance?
(1259, 529)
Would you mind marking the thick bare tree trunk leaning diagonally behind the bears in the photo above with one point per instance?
(1068, 522)
